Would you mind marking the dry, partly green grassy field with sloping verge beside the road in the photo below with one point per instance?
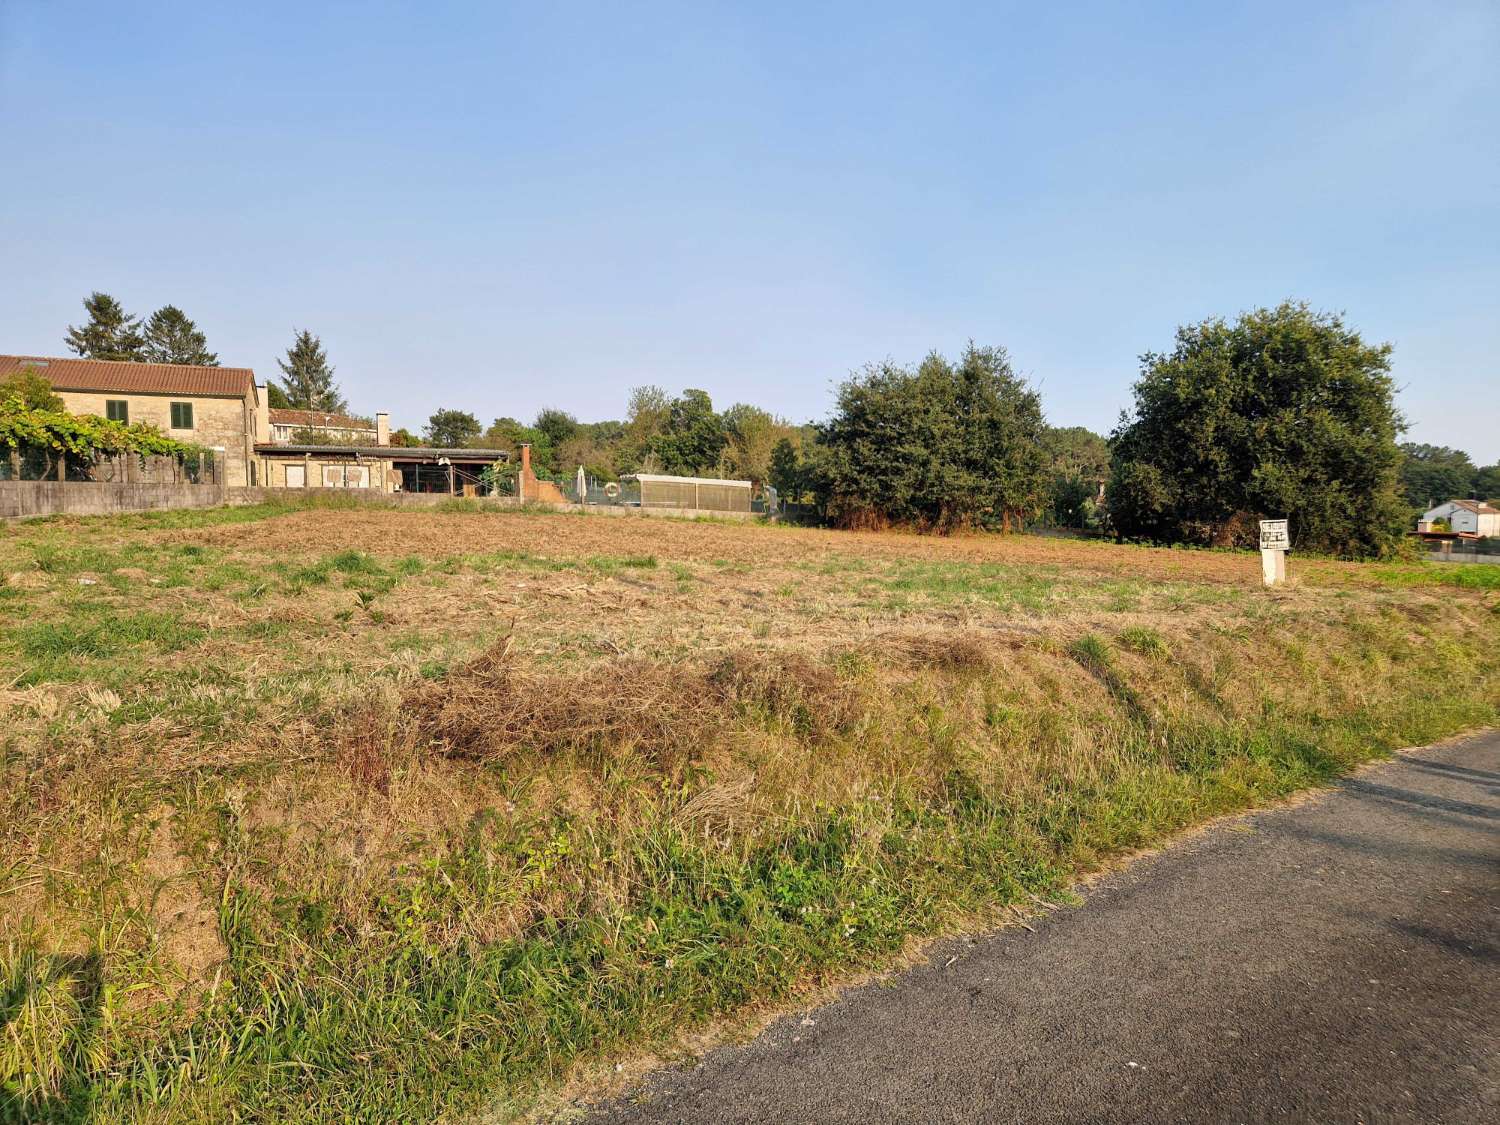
(376, 815)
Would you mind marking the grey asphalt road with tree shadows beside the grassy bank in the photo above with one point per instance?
(1330, 962)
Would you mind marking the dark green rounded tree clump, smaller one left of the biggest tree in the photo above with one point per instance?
(947, 446)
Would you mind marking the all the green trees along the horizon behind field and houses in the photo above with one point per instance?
(1280, 413)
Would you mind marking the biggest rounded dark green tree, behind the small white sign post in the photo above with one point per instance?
(1286, 413)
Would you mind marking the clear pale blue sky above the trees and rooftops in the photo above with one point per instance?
(502, 208)
